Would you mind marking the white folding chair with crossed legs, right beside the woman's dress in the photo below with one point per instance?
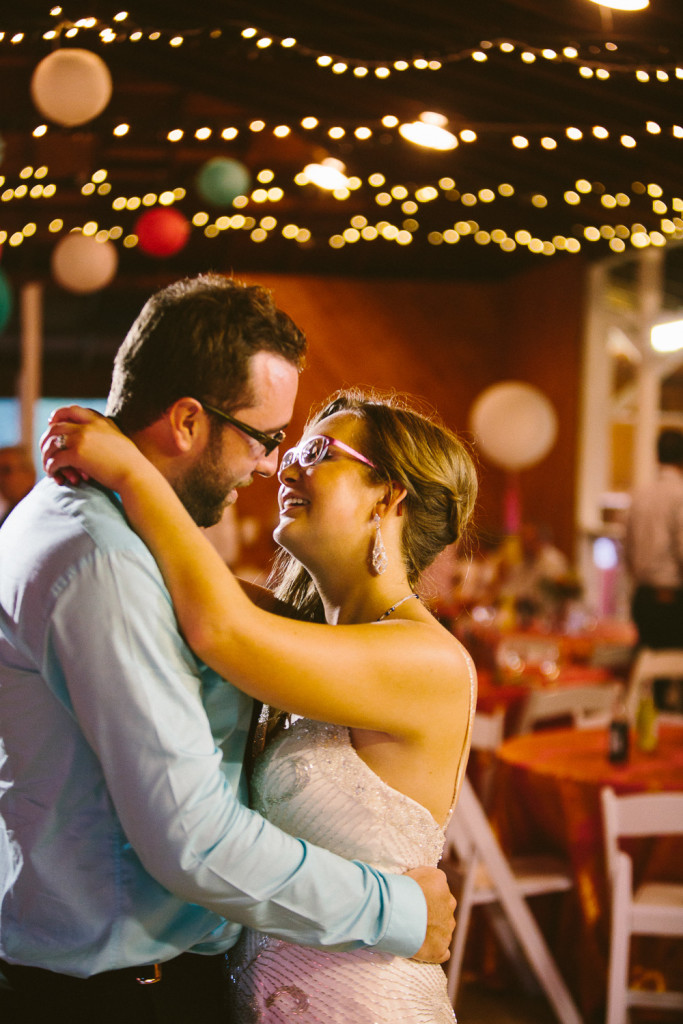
(474, 858)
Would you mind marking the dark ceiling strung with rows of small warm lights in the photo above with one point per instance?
(219, 79)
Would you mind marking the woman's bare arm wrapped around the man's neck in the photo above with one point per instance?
(370, 676)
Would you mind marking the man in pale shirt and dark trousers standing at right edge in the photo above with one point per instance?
(654, 549)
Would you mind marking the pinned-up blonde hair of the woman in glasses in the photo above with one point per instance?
(419, 454)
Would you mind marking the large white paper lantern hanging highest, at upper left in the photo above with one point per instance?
(71, 87)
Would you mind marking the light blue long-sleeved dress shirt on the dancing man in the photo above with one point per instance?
(124, 835)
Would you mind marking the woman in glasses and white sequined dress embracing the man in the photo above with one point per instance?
(368, 499)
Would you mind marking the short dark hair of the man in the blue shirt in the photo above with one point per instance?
(196, 338)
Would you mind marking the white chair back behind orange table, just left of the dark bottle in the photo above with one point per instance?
(584, 705)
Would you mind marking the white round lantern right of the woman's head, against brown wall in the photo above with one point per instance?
(515, 423)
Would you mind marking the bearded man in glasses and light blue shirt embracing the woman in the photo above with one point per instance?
(126, 840)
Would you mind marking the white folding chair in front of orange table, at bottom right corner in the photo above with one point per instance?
(653, 909)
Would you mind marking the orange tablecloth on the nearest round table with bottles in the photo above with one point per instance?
(547, 797)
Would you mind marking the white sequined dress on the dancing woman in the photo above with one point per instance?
(312, 784)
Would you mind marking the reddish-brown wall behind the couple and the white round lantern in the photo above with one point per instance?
(445, 343)
